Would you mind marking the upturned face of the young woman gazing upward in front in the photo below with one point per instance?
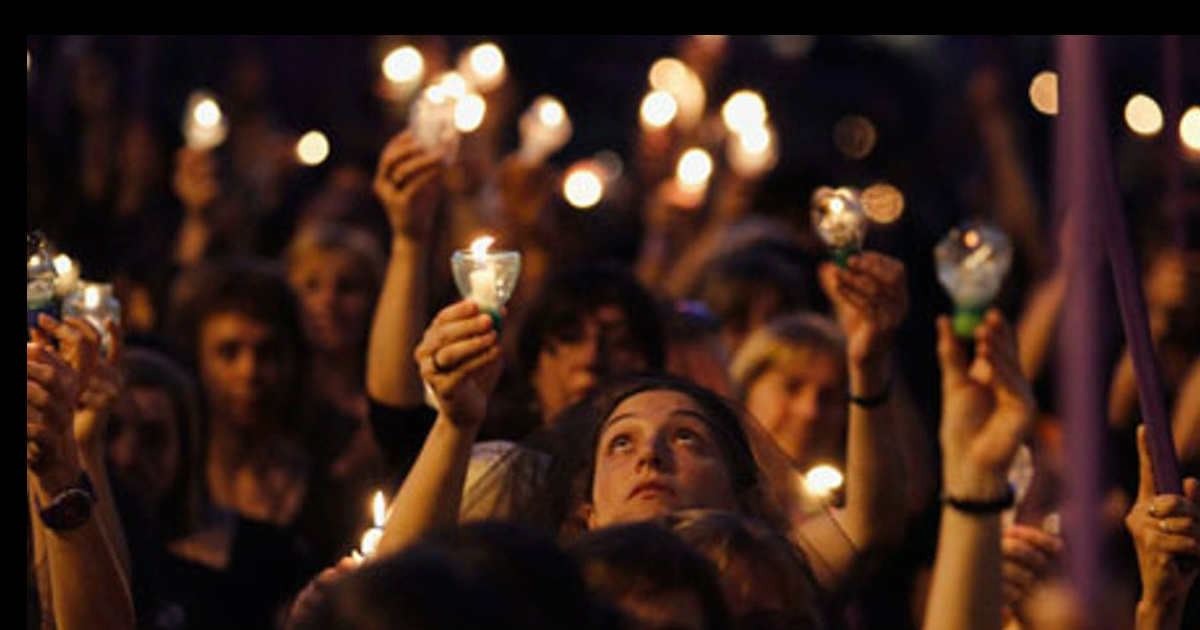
(656, 455)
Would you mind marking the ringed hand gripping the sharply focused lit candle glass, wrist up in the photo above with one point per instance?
(460, 359)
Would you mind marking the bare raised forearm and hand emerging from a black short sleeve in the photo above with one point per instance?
(409, 185)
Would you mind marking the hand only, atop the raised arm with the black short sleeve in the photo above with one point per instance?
(407, 184)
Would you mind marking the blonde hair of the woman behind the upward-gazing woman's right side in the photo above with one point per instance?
(781, 343)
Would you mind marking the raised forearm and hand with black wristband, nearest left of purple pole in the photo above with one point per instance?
(987, 412)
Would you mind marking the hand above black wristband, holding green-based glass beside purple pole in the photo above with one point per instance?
(988, 409)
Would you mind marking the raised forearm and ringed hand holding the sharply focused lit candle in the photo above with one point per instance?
(460, 358)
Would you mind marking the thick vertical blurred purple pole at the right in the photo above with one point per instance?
(1078, 195)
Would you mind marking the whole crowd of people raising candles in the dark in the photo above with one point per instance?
(633, 441)
